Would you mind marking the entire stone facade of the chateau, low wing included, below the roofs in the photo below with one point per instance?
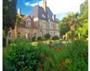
(38, 29)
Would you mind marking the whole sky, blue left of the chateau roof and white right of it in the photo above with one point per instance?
(59, 7)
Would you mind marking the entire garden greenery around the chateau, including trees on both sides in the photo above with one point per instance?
(68, 52)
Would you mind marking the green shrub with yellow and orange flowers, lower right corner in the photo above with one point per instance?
(74, 56)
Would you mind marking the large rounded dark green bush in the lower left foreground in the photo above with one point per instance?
(21, 56)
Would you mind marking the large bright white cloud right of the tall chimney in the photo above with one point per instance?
(64, 6)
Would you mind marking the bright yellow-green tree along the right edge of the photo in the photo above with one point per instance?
(82, 29)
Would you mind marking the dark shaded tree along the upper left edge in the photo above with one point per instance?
(9, 15)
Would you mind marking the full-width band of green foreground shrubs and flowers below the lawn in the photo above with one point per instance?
(21, 55)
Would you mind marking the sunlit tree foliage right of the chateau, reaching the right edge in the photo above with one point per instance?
(77, 23)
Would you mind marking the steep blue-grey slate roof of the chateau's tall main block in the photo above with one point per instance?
(39, 12)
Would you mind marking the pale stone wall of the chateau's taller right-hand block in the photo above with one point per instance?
(49, 27)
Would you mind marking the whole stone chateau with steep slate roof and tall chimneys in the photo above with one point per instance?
(40, 22)
